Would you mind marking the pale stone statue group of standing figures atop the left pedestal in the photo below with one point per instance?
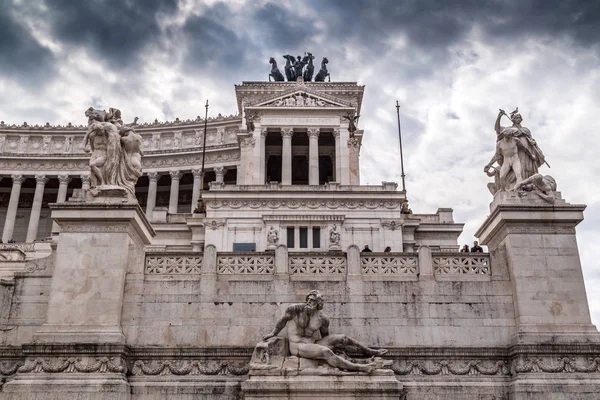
(116, 150)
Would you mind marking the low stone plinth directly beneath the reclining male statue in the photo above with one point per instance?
(350, 387)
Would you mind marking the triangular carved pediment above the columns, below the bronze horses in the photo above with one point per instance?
(301, 98)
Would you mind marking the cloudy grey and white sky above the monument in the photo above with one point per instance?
(451, 65)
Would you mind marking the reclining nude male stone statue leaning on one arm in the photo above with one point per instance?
(308, 335)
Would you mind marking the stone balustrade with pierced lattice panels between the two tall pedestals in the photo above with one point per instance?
(322, 266)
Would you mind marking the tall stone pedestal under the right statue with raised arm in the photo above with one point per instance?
(536, 242)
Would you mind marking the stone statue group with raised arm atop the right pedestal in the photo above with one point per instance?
(517, 154)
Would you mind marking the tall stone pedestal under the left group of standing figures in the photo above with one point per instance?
(102, 235)
